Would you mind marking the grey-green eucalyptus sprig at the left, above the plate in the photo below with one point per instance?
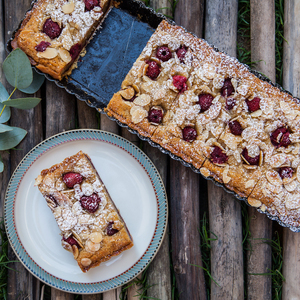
(18, 72)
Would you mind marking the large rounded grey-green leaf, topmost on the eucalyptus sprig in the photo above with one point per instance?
(17, 69)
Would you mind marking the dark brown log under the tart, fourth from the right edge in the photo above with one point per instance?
(184, 194)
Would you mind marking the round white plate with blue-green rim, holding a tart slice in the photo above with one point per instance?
(133, 183)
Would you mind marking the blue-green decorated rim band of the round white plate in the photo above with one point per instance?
(50, 143)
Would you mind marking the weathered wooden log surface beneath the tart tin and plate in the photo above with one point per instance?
(190, 196)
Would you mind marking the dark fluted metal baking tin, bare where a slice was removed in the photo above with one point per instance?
(110, 55)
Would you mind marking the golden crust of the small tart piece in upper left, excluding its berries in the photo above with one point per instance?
(30, 34)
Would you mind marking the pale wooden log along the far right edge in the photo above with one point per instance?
(291, 79)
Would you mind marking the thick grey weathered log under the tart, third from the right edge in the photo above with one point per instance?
(225, 220)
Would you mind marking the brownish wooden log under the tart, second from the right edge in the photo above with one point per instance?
(259, 257)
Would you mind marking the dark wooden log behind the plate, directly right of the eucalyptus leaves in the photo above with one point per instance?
(60, 116)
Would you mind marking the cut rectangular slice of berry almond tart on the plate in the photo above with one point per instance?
(91, 226)
